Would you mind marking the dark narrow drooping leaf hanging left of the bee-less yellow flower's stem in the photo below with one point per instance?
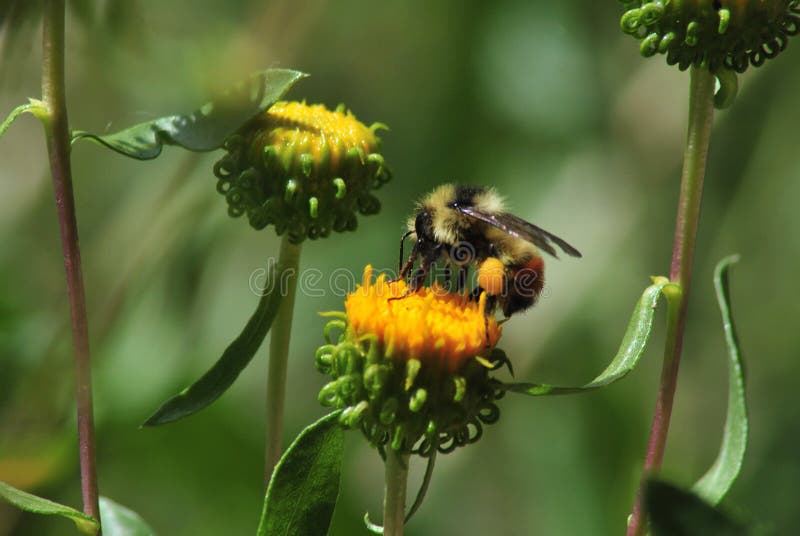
(225, 371)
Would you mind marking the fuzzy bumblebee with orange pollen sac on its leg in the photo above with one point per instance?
(469, 225)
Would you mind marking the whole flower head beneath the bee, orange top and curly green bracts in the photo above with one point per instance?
(411, 370)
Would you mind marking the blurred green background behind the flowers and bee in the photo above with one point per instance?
(547, 101)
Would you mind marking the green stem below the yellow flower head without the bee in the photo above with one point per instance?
(286, 277)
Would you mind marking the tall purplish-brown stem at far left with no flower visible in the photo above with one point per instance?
(58, 147)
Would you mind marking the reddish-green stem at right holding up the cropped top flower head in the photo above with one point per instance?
(701, 111)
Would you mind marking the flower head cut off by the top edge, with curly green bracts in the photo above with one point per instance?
(718, 33)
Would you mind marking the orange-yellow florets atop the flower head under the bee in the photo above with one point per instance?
(432, 324)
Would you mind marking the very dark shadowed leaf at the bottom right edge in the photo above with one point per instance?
(676, 512)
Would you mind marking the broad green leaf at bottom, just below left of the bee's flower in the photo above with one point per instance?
(305, 484)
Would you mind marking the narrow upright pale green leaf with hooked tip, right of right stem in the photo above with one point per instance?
(720, 477)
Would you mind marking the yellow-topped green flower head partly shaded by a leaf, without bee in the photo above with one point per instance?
(304, 169)
